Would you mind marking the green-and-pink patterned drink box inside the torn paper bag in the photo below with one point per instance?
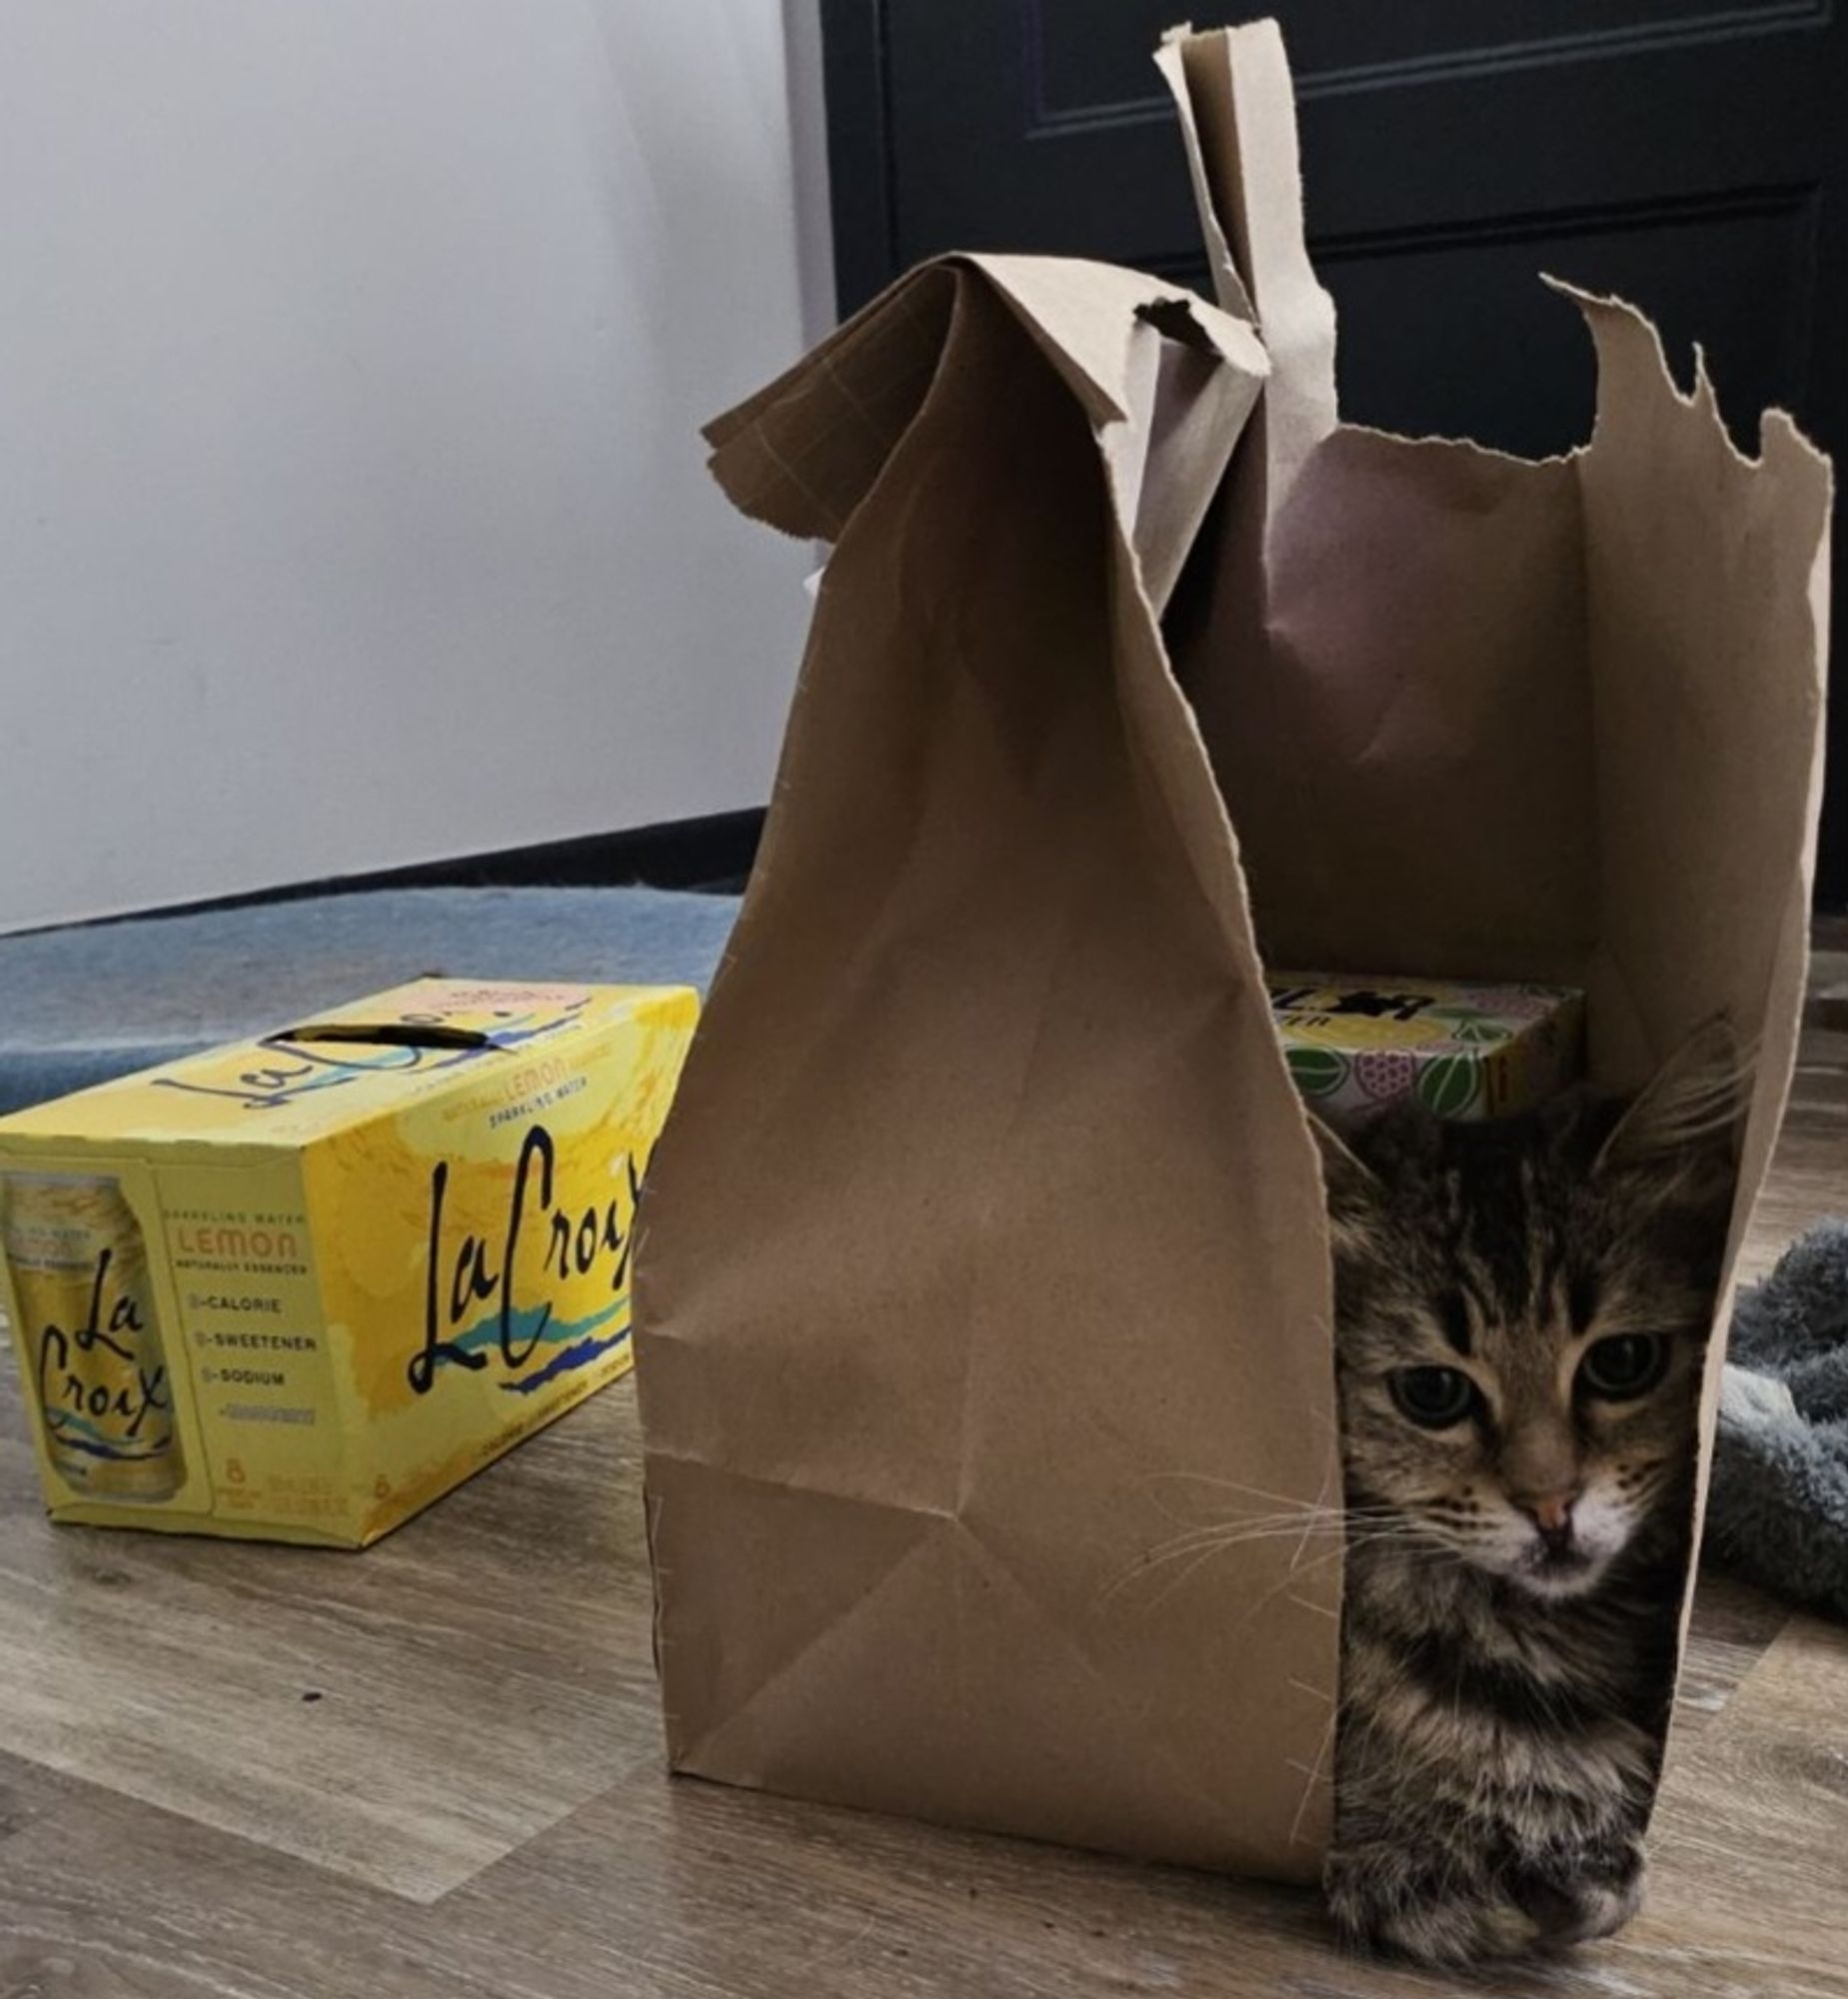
(1357, 1044)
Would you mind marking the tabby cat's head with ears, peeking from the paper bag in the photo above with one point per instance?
(1521, 1320)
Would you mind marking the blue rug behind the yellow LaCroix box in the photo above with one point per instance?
(81, 1006)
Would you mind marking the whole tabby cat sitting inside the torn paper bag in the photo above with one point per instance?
(1521, 1318)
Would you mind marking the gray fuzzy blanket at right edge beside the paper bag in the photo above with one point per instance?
(1779, 1502)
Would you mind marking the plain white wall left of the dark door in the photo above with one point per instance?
(351, 367)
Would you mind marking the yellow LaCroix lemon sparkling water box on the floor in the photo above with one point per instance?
(297, 1288)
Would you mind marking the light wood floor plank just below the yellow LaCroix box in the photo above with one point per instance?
(405, 1716)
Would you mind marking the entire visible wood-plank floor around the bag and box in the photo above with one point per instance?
(435, 1770)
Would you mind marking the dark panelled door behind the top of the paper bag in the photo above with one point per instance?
(1689, 157)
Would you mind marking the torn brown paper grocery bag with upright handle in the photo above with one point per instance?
(983, 1262)
